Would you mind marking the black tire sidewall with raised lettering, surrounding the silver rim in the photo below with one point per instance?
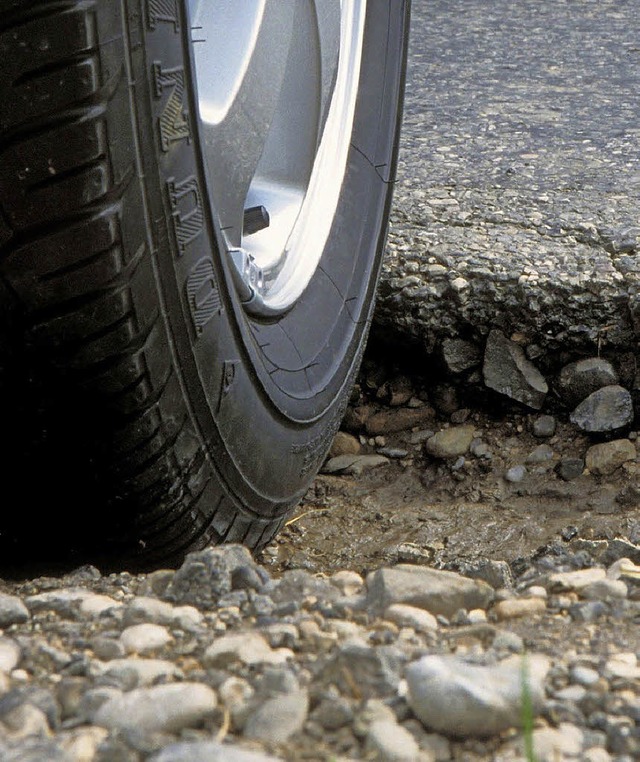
(268, 396)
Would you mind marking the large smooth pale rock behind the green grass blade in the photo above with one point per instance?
(456, 698)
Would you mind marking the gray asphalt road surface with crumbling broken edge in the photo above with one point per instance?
(517, 203)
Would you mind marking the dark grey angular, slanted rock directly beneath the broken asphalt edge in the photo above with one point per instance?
(507, 370)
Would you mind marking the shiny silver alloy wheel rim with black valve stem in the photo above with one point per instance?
(277, 84)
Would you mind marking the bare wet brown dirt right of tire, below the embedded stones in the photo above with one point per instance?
(419, 509)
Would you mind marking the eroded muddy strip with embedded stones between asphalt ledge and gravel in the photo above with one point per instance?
(503, 482)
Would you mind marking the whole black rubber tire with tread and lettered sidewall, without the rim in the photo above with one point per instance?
(142, 401)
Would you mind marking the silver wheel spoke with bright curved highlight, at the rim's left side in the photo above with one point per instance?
(239, 95)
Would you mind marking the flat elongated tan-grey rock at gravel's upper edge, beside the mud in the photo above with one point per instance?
(439, 592)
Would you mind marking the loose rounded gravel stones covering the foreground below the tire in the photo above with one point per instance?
(411, 663)
